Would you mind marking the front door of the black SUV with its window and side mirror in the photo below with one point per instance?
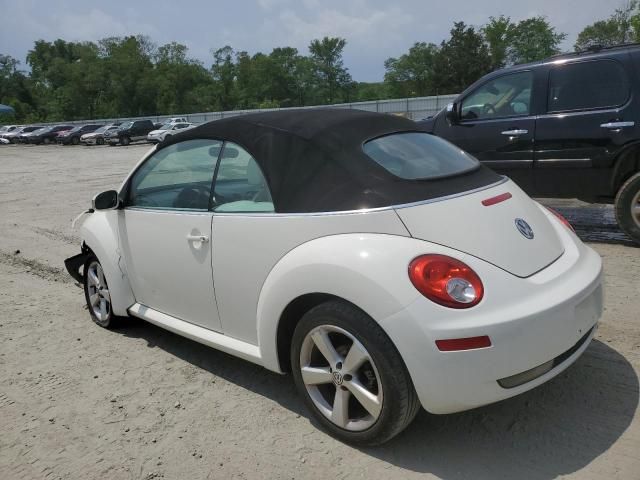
(497, 125)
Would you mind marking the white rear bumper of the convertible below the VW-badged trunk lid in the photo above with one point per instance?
(538, 327)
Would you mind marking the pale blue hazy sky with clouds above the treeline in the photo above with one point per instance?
(374, 29)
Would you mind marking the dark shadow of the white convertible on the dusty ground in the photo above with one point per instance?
(553, 430)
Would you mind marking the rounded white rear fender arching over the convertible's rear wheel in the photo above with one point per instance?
(368, 270)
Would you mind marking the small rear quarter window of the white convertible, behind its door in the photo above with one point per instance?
(240, 185)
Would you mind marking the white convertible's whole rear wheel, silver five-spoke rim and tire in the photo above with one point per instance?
(351, 376)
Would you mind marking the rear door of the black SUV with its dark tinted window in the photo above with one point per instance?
(589, 117)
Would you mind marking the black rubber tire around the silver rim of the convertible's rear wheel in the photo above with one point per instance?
(400, 402)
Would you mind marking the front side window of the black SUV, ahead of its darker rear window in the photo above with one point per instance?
(506, 96)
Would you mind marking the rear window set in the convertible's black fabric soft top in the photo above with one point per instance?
(419, 156)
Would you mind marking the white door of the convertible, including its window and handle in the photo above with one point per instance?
(165, 232)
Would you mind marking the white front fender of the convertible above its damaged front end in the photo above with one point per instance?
(99, 232)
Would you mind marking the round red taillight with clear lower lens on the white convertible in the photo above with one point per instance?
(446, 281)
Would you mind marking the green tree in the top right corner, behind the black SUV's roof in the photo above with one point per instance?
(621, 27)
